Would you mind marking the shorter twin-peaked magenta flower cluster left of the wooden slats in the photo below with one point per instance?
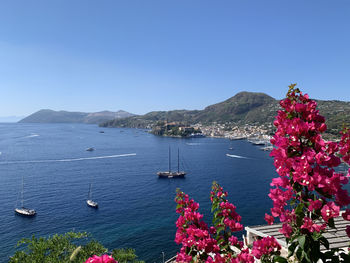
(217, 243)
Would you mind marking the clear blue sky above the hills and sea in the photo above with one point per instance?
(139, 56)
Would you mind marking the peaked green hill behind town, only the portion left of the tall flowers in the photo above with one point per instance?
(243, 107)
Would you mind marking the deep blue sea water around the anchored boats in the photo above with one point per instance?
(136, 209)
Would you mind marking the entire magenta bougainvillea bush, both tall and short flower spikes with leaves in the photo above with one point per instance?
(307, 195)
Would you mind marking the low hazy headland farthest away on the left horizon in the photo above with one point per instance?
(51, 116)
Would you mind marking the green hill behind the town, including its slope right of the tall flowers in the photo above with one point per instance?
(243, 108)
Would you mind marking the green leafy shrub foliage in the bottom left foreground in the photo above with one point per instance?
(71, 247)
